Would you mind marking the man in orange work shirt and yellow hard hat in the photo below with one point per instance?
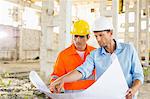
(74, 56)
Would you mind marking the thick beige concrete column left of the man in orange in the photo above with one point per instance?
(46, 36)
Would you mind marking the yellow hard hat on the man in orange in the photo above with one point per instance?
(80, 27)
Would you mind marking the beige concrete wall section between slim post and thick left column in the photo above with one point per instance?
(30, 44)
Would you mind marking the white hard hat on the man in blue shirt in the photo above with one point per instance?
(102, 23)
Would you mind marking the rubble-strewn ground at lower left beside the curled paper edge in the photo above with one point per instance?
(18, 88)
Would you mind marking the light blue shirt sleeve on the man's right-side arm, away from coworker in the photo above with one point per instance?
(136, 67)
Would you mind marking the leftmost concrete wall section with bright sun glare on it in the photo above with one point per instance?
(7, 42)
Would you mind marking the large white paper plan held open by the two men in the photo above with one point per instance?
(111, 85)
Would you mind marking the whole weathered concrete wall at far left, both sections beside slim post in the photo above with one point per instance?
(10, 43)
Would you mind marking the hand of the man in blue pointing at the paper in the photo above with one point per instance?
(56, 86)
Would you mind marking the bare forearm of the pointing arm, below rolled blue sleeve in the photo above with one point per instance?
(72, 76)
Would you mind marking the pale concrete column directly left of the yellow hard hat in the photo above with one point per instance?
(65, 23)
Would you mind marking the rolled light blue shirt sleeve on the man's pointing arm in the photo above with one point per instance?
(87, 67)
